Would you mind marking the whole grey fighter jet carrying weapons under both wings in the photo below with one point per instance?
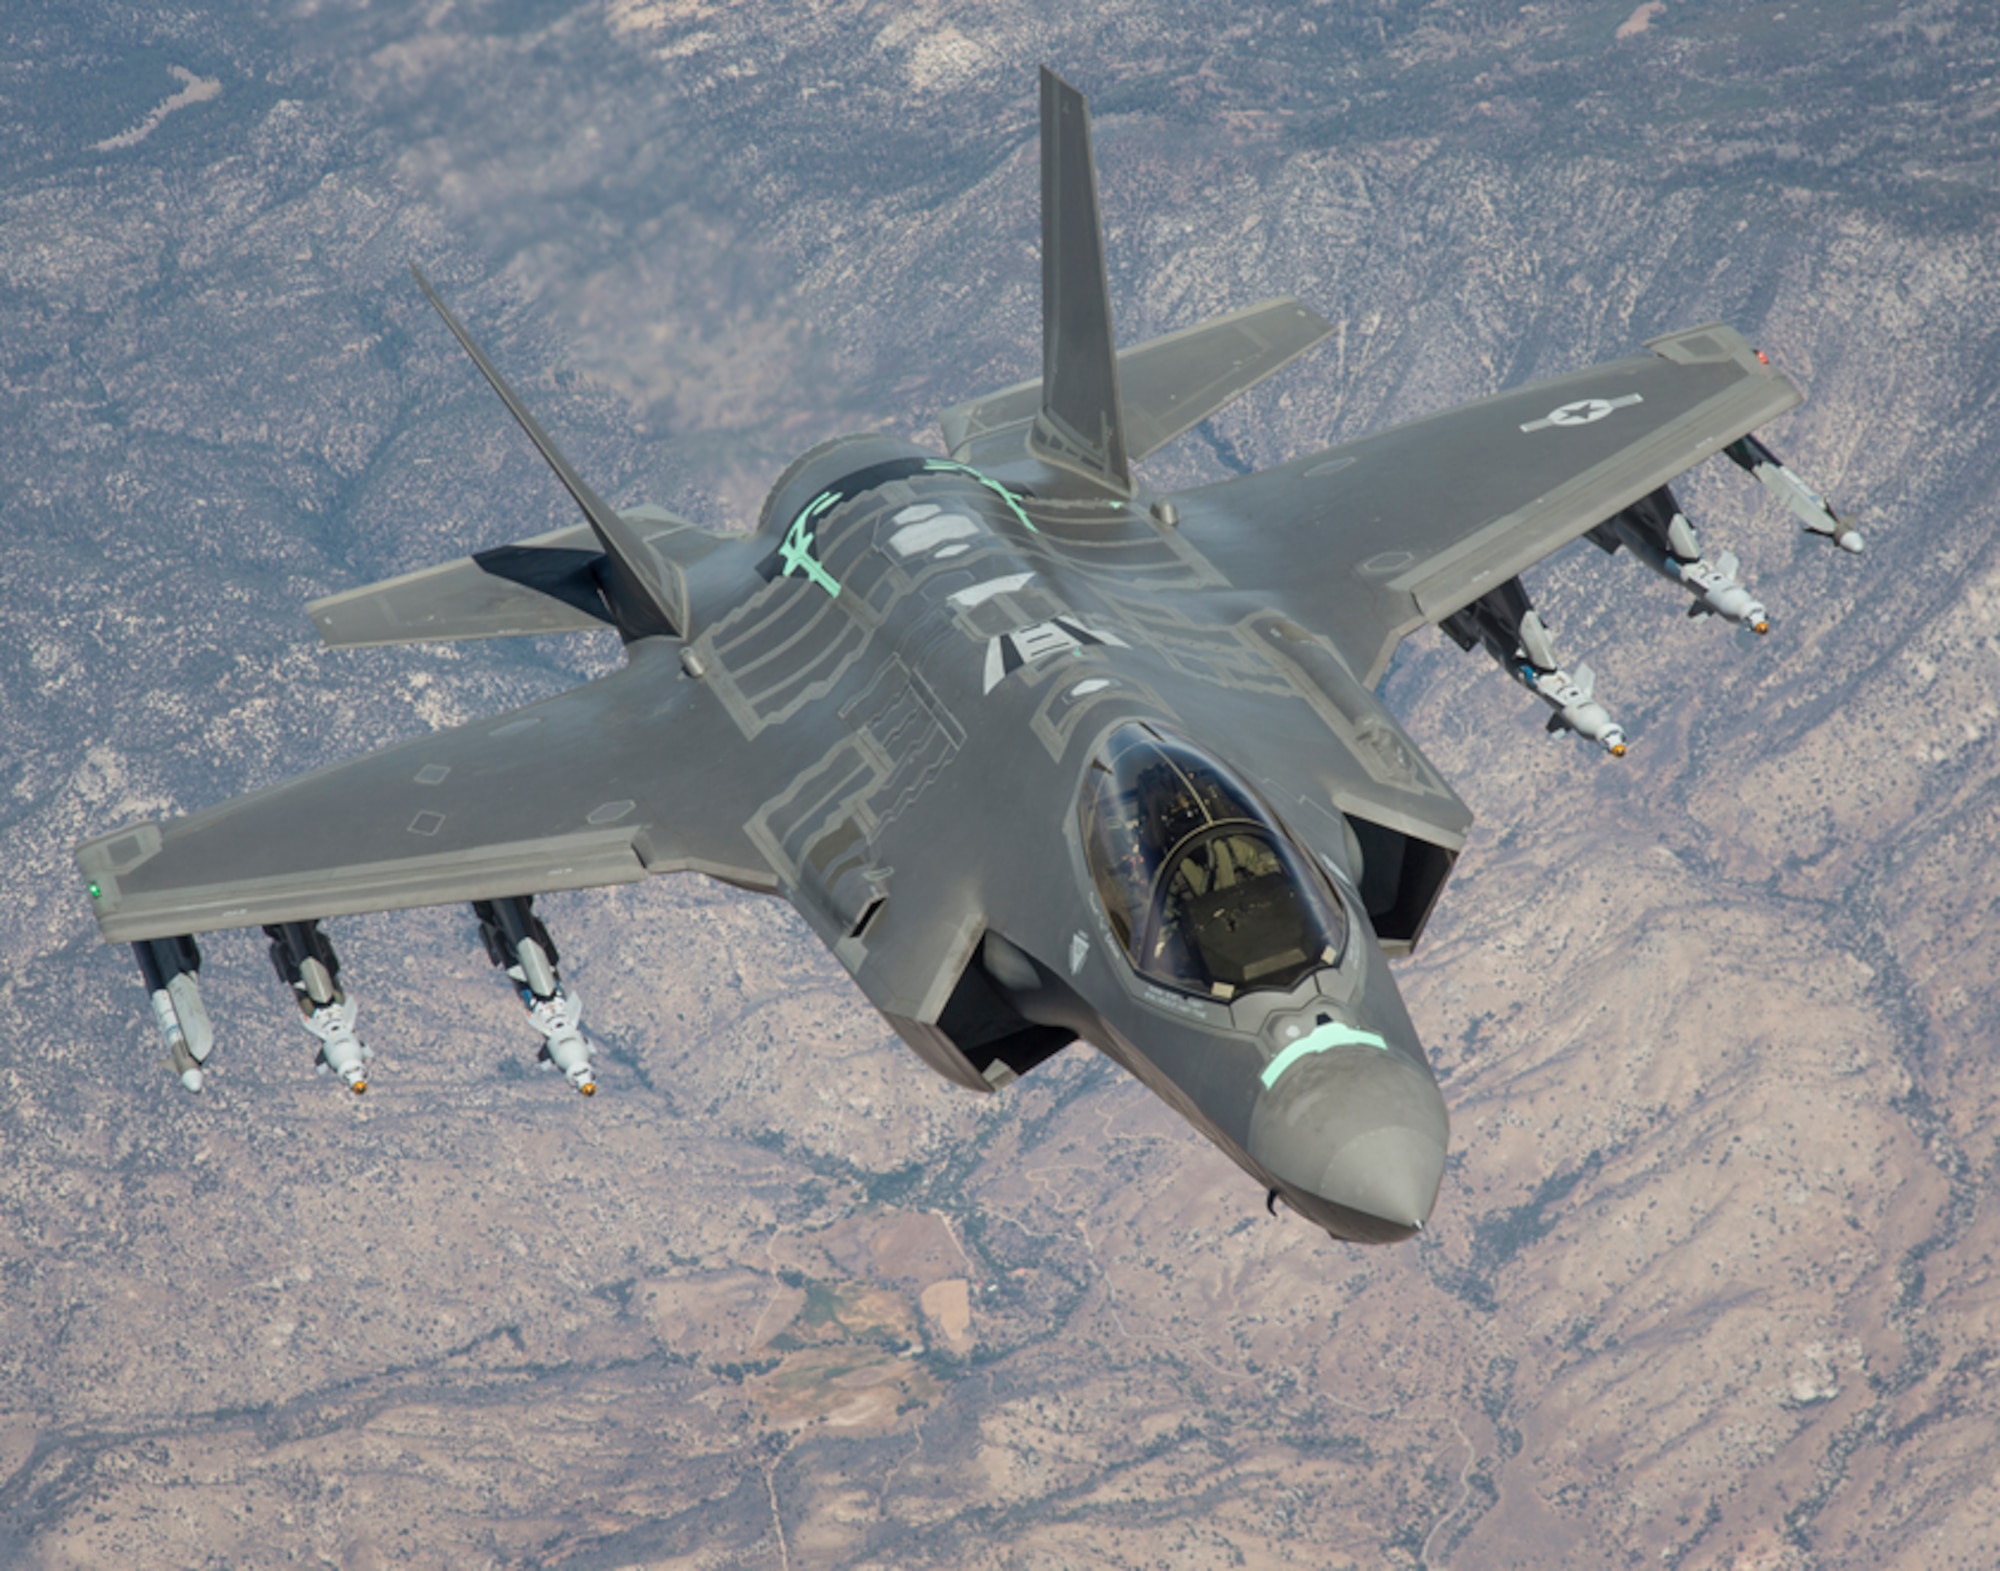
(1039, 753)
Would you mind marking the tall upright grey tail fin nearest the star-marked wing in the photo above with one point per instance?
(1081, 425)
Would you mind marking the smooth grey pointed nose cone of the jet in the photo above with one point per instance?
(1359, 1134)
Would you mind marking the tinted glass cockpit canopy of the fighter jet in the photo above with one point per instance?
(1203, 888)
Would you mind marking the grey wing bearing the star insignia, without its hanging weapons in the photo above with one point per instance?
(1377, 539)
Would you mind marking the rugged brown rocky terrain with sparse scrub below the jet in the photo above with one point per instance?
(1713, 1276)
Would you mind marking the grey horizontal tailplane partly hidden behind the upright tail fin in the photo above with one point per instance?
(1169, 385)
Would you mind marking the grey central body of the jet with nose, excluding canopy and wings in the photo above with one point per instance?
(979, 645)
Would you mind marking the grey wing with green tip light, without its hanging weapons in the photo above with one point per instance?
(639, 773)
